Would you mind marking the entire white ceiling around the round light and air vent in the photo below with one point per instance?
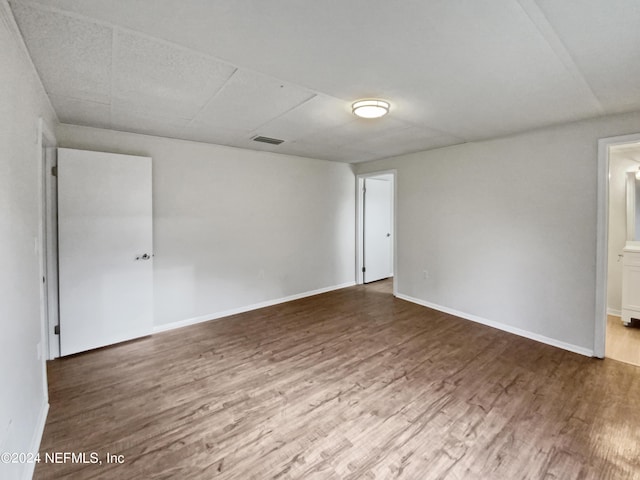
(224, 71)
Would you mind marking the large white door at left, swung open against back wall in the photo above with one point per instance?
(105, 249)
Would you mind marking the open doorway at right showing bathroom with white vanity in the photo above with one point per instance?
(618, 326)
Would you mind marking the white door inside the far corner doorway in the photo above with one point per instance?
(377, 249)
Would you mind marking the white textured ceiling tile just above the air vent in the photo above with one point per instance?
(249, 100)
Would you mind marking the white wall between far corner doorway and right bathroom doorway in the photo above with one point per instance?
(506, 228)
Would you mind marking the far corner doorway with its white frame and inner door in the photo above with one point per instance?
(376, 228)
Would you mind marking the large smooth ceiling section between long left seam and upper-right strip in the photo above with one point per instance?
(465, 67)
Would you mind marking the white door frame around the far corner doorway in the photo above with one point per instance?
(360, 224)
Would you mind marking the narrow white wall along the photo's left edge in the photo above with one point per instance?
(23, 398)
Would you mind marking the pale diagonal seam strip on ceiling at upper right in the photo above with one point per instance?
(551, 37)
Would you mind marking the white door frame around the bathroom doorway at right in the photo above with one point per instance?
(602, 243)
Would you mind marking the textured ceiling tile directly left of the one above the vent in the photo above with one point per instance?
(172, 80)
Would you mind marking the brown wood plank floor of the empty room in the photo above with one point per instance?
(352, 384)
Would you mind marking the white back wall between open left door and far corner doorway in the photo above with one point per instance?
(235, 228)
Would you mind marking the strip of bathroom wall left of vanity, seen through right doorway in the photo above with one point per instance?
(619, 164)
